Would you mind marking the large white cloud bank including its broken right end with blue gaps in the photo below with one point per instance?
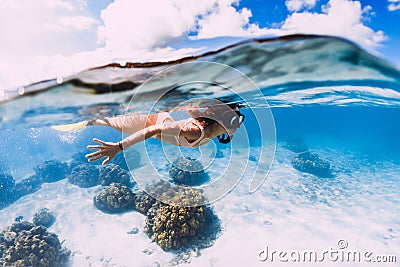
(132, 26)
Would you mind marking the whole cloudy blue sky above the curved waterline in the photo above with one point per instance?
(43, 39)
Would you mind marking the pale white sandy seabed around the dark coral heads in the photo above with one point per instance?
(292, 212)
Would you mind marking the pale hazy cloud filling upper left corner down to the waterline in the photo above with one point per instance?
(32, 30)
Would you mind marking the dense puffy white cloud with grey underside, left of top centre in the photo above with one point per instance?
(130, 26)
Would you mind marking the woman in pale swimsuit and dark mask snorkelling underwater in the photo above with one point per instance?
(216, 121)
